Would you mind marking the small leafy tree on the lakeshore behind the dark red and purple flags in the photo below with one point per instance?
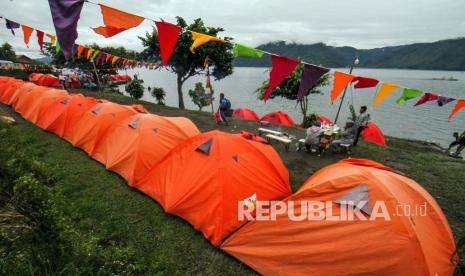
(289, 88)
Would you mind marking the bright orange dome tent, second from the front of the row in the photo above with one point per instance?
(203, 180)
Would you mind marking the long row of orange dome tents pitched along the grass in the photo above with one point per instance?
(202, 177)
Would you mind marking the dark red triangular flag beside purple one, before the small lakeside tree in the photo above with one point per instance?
(282, 68)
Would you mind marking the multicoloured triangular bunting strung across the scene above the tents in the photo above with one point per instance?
(66, 15)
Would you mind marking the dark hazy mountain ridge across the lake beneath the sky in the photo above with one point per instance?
(441, 55)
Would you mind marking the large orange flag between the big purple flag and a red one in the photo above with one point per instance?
(116, 21)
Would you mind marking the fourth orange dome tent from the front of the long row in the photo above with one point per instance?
(94, 124)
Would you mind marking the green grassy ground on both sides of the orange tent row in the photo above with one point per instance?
(108, 216)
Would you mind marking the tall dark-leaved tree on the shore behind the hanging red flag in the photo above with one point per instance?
(186, 64)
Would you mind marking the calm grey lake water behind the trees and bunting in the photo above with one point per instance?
(427, 122)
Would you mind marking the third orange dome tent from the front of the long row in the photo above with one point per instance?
(137, 143)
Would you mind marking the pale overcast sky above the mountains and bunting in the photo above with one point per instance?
(358, 23)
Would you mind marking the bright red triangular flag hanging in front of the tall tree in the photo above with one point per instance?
(168, 35)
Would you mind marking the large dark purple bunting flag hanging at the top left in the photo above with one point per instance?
(65, 14)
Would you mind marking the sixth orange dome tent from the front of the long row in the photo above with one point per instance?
(42, 103)
